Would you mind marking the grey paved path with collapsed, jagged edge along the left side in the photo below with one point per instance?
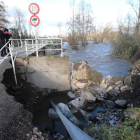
(8, 107)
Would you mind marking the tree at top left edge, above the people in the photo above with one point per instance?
(3, 14)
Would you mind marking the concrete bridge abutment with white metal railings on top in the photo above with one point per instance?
(37, 63)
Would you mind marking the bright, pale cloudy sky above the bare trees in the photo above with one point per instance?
(54, 11)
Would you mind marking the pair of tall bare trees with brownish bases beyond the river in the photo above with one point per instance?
(80, 24)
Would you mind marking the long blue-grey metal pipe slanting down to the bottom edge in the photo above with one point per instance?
(75, 132)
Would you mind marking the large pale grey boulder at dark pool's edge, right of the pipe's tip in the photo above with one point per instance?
(78, 103)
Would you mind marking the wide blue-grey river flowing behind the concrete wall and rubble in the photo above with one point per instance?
(99, 58)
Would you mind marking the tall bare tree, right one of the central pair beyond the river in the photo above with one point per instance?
(84, 21)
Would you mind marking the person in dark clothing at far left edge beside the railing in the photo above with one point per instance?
(2, 42)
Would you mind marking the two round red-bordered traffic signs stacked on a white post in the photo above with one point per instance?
(34, 20)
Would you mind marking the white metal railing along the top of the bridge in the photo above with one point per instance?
(28, 46)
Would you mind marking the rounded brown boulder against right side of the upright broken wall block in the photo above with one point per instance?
(95, 77)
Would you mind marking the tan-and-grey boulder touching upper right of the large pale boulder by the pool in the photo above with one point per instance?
(88, 96)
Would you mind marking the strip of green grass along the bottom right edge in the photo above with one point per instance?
(119, 132)
